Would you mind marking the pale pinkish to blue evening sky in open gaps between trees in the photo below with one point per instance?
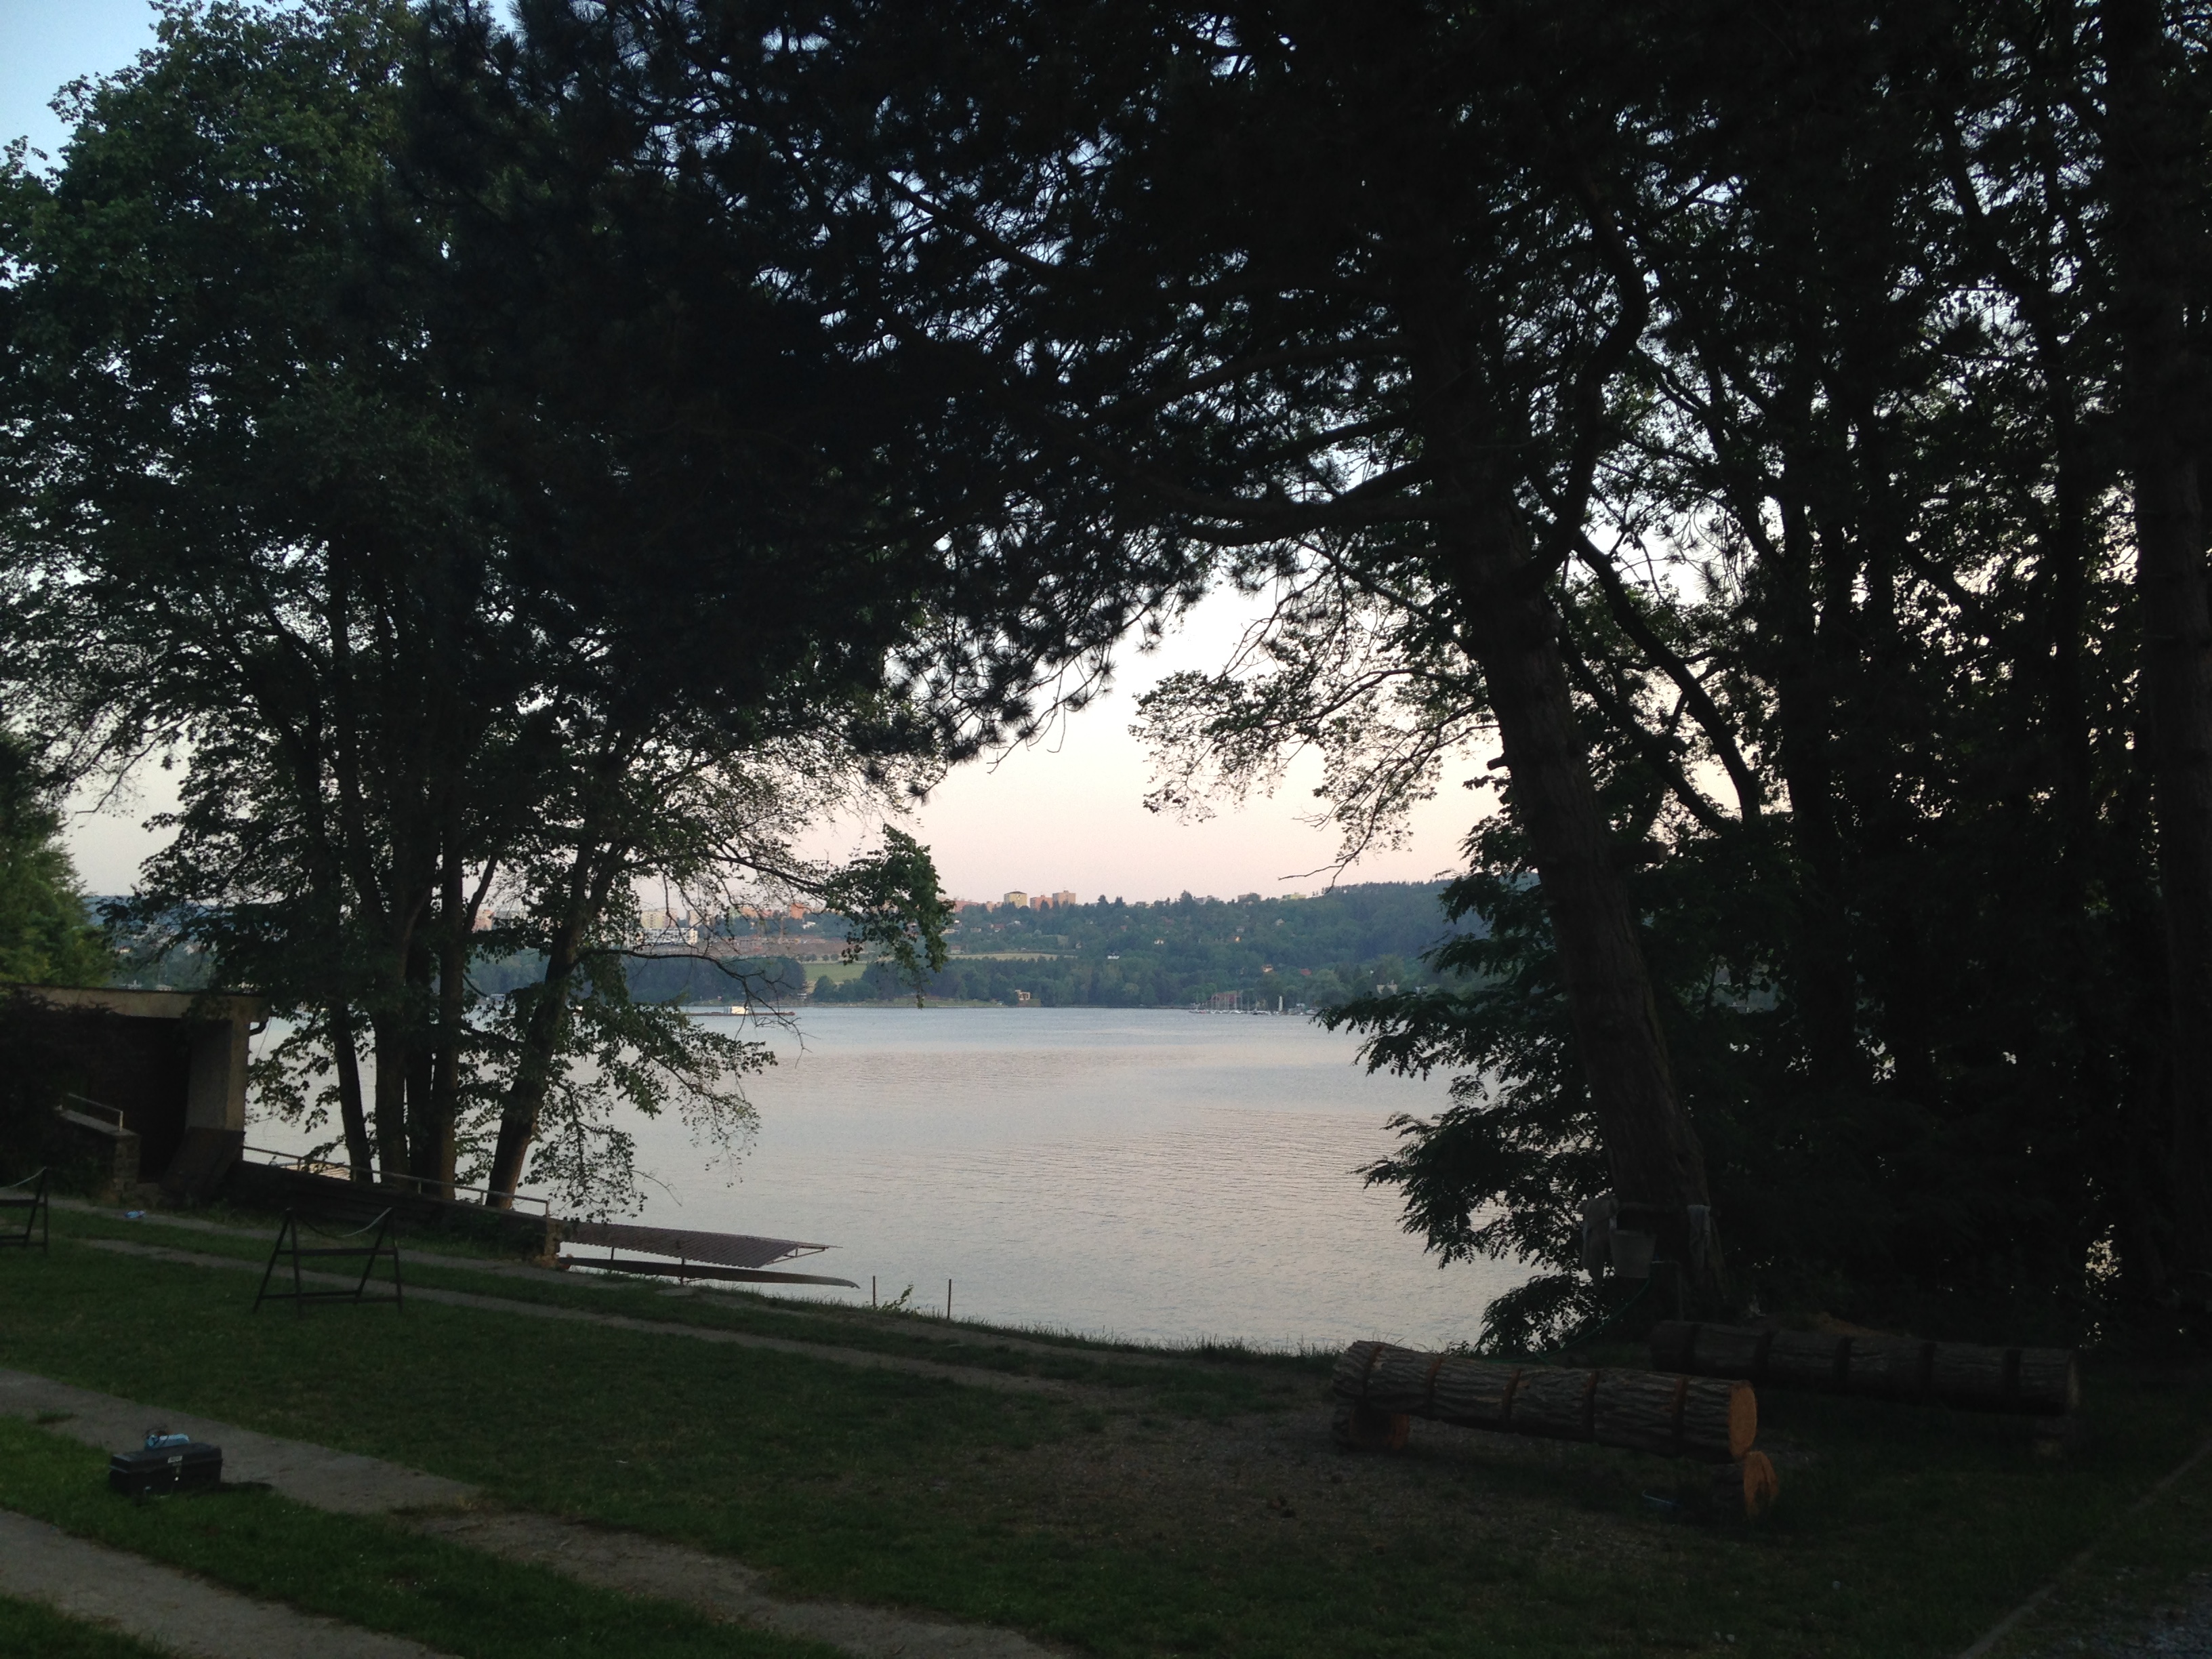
(1061, 815)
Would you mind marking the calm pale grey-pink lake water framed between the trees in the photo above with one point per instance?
(1136, 1173)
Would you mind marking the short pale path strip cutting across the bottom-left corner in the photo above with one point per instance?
(174, 1609)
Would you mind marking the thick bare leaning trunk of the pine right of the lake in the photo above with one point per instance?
(1651, 1147)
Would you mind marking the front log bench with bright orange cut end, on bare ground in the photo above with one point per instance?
(1381, 1388)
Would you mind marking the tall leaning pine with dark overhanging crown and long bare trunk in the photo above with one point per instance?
(1235, 289)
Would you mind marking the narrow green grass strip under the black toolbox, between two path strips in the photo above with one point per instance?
(357, 1569)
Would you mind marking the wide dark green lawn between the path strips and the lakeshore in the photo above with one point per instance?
(1165, 1507)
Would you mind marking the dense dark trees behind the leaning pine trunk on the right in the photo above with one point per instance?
(1919, 1010)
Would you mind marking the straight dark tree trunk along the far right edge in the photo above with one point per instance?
(2156, 160)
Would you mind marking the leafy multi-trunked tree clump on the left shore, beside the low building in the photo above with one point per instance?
(317, 481)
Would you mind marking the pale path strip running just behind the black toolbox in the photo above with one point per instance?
(598, 1556)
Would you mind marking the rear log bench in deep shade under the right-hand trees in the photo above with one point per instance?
(2032, 1381)
